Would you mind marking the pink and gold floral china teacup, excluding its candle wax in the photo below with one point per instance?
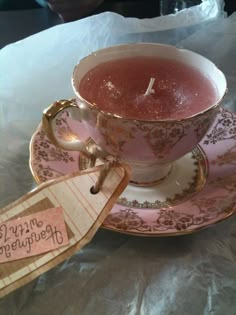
(148, 146)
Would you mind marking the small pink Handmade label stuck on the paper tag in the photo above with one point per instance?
(32, 235)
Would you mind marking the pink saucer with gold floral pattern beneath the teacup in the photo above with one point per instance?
(200, 190)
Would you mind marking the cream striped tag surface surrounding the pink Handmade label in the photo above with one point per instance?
(83, 214)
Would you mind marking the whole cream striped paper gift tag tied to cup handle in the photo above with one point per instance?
(50, 223)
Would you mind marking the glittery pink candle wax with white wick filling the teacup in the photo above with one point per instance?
(148, 88)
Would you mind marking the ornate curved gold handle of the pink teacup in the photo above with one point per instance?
(50, 115)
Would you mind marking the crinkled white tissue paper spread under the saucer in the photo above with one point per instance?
(116, 273)
